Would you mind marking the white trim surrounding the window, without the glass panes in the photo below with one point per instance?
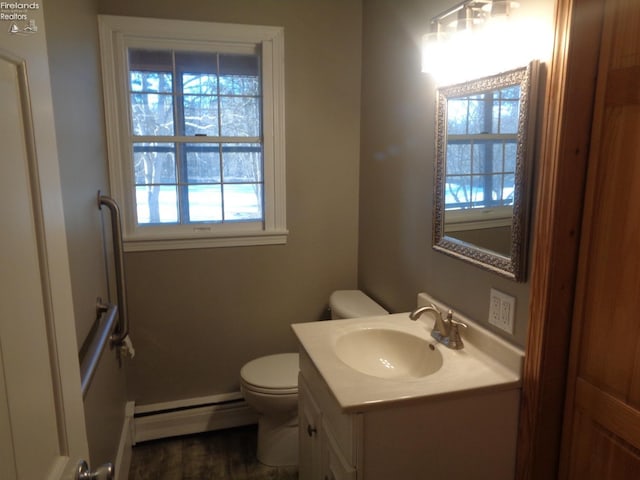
(117, 33)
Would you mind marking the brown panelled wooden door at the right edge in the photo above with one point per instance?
(602, 420)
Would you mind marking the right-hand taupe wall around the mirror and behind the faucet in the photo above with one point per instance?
(396, 260)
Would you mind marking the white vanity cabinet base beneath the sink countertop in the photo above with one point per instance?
(447, 437)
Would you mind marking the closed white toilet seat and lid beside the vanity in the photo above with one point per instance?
(272, 375)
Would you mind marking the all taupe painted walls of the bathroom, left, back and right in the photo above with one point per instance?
(359, 203)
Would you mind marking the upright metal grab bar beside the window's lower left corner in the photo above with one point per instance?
(122, 329)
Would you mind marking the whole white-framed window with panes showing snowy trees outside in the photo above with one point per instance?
(195, 131)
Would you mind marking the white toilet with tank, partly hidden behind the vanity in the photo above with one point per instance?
(269, 384)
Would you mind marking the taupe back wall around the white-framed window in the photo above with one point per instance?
(198, 315)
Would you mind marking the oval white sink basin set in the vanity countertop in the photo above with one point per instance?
(387, 353)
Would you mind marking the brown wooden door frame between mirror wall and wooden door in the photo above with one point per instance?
(563, 162)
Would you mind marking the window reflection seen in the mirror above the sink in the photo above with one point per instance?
(482, 131)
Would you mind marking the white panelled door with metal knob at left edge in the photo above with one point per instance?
(42, 431)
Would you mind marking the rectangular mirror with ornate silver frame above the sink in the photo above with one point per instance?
(484, 145)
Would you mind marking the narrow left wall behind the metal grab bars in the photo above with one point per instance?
(77, 97)
